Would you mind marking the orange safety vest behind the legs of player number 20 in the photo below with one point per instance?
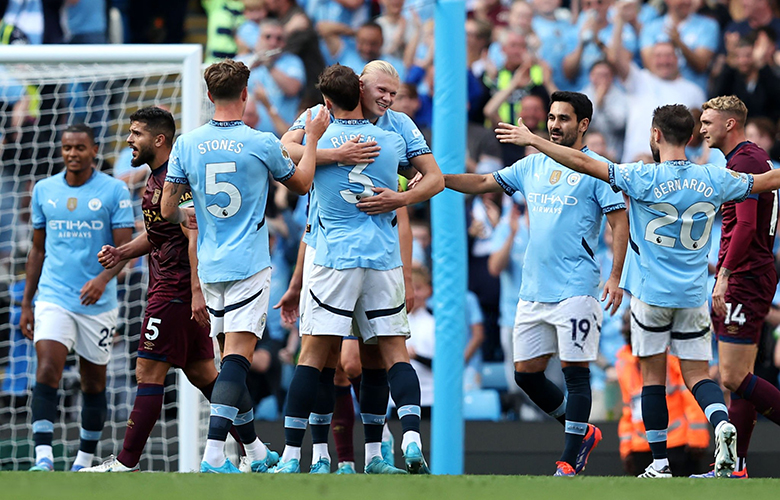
(687, 424)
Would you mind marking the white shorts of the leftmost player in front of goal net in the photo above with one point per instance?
(88, 335)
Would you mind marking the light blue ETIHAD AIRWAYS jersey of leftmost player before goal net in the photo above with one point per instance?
(78, 222)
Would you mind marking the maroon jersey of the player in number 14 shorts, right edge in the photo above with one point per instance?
(749, 158)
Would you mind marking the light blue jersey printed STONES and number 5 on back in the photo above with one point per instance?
(226, 165)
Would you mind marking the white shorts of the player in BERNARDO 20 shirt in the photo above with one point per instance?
(687, 331)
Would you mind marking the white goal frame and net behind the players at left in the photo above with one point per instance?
(31, 67)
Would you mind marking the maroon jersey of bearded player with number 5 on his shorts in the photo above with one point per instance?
(169, 262)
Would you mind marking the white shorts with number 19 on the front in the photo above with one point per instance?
(570, 328)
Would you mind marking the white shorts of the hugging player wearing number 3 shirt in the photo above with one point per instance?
(375, 299)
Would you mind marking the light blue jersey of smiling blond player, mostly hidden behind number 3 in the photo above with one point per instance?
(392, 121)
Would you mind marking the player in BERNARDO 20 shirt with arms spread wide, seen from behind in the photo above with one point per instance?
(672, 211)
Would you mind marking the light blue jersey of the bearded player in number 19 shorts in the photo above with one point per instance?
(565, 210)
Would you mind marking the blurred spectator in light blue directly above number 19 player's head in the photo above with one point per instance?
(589, 39)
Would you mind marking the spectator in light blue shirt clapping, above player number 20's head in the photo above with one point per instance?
(694, 37)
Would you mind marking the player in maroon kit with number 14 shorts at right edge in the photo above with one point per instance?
(746, 277)
